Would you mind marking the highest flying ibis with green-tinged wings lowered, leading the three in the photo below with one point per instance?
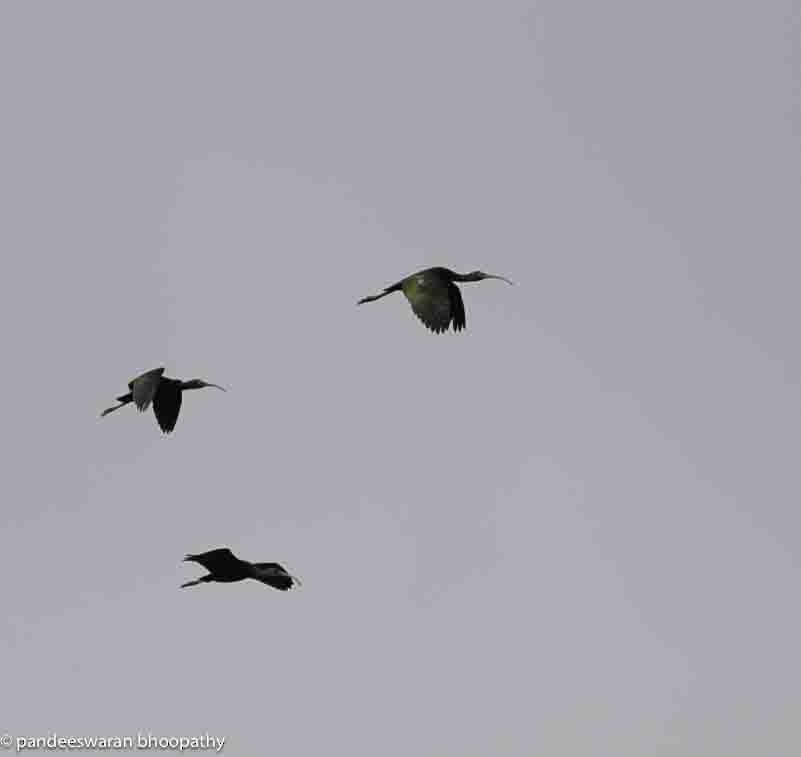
(434, 296)
